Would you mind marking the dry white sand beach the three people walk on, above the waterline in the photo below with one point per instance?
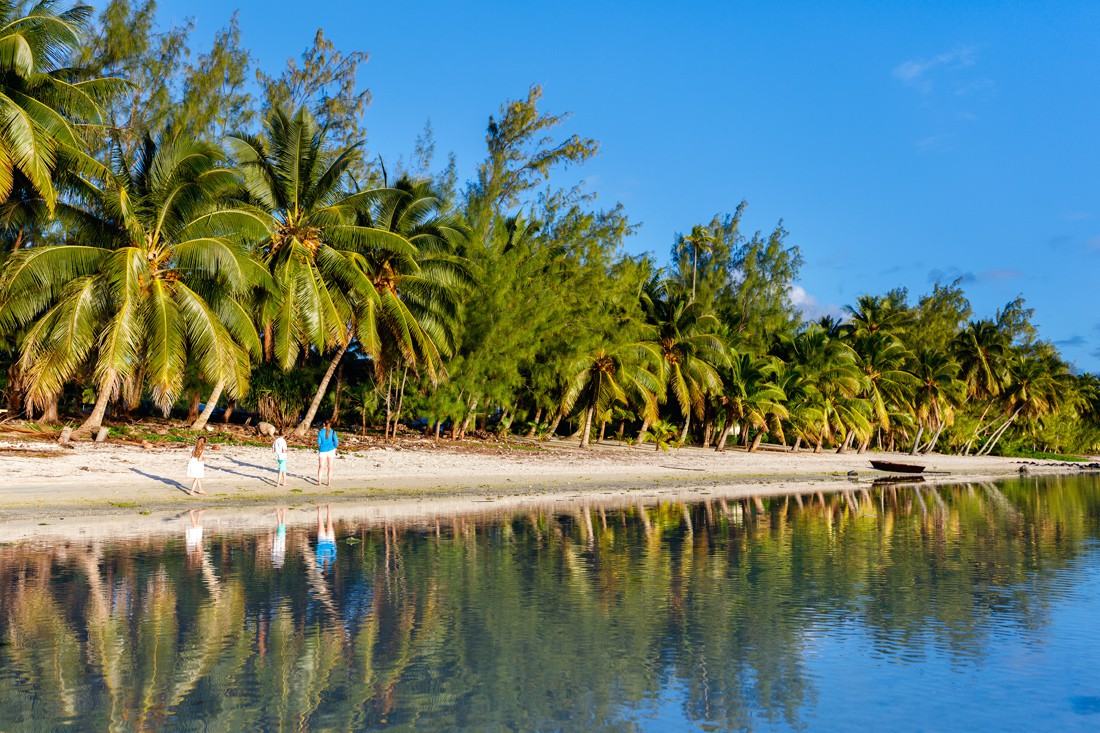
(113, 478)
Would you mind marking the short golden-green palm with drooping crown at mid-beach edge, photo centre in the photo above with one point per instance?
(603, 379)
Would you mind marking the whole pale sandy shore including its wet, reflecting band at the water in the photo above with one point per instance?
(118, 488)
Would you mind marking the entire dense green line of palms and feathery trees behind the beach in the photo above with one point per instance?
(177, 233)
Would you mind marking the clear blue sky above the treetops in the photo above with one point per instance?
(900, 143)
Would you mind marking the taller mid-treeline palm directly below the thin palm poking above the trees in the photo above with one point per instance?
(686, 337)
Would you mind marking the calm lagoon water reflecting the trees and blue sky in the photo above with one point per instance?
(971, 607)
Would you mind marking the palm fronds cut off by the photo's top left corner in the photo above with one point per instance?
(43, 101)
